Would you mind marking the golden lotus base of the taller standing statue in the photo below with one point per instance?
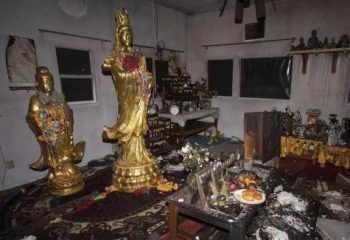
(128, 178)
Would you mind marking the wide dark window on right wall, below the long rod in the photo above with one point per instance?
(266, 77)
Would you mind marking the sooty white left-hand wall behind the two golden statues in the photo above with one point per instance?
(23, 18)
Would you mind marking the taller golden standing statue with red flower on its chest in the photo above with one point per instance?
(136, 167)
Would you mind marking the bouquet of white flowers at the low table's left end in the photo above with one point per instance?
(194, 160)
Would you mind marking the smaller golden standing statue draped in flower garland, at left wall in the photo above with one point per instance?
(51, 120)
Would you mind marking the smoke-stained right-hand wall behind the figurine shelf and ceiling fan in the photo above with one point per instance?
(293, 18)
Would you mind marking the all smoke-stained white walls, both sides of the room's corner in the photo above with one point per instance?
(318, 88)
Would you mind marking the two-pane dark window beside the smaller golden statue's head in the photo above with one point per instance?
(74, 67)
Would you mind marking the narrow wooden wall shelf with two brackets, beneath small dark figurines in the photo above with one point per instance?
(305, 54)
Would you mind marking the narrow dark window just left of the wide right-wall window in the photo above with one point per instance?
(220, 76)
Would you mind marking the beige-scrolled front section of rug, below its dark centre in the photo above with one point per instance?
(150, 223)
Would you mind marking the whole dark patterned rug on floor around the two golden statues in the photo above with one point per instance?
(30, 210)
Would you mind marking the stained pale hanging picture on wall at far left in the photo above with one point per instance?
(21, 63)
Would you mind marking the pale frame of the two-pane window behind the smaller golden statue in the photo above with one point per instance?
(79, 76)
